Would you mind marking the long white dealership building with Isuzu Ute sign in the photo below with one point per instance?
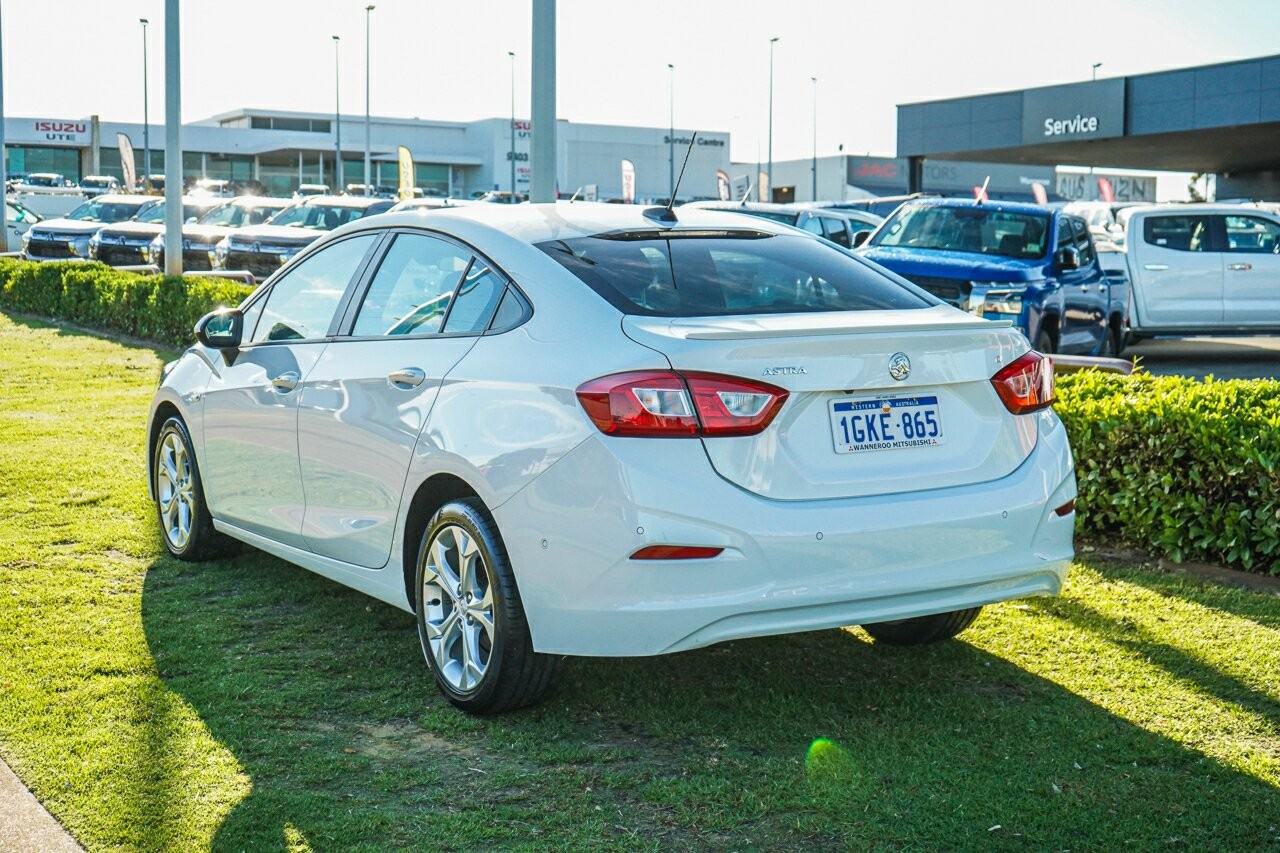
(285, 149)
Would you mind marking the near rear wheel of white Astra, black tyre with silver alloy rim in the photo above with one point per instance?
(470, 619)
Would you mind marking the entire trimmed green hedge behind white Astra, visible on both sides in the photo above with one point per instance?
(1182, 467)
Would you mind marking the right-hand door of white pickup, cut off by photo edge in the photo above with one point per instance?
(1251, 275)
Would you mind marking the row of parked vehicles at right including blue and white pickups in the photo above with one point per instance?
(1084, 279)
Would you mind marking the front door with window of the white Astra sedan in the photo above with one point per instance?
(250, 464)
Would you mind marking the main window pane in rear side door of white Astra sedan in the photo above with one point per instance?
(413, 289)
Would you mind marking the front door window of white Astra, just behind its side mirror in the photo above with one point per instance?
(301, 304)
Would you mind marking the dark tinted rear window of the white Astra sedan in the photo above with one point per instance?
(725, 272)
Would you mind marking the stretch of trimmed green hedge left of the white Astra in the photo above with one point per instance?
(157, 308)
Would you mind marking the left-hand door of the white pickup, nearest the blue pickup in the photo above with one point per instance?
(1178, 277)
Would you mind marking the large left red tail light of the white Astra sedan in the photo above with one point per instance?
(666, 404)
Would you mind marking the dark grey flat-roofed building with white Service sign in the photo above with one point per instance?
(1222, 120)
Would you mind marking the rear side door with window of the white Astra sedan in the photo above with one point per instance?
(371, 394)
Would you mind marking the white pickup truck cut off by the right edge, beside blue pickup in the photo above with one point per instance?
(1204, 270)
